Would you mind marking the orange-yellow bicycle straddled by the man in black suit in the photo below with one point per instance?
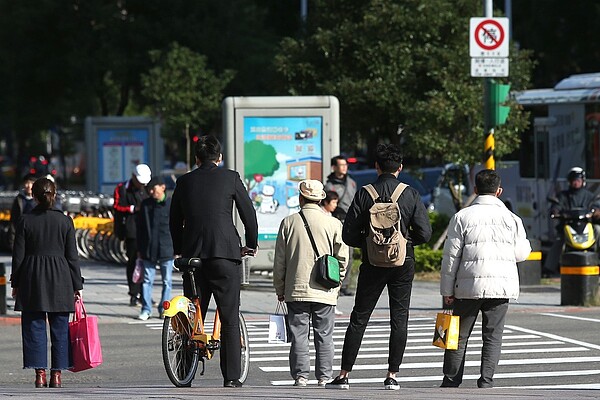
(185, 343)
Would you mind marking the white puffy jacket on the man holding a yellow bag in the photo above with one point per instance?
(484, 243)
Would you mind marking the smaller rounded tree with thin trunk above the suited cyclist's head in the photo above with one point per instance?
(182, 91)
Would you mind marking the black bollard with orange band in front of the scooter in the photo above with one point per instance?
(578, 278)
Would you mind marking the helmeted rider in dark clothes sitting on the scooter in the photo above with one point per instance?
(575, 196)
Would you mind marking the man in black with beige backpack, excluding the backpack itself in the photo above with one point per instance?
(416, 228)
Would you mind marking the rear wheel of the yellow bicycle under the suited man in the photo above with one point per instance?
(180, 355)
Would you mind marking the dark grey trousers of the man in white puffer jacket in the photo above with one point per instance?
(493, 313)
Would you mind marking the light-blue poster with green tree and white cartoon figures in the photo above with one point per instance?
(279, 152)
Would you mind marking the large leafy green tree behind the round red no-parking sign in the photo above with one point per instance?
(401, 64)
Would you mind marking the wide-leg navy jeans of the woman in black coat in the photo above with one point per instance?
(35, 340)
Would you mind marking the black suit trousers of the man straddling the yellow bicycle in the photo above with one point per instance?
(222, 277)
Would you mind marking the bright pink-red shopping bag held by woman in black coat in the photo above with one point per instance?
(86, 350)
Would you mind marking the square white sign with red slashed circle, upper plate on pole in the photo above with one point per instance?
(488, 37)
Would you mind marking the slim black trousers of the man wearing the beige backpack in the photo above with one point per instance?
(371, 282)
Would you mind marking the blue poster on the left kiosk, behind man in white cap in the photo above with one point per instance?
(120, 150)
